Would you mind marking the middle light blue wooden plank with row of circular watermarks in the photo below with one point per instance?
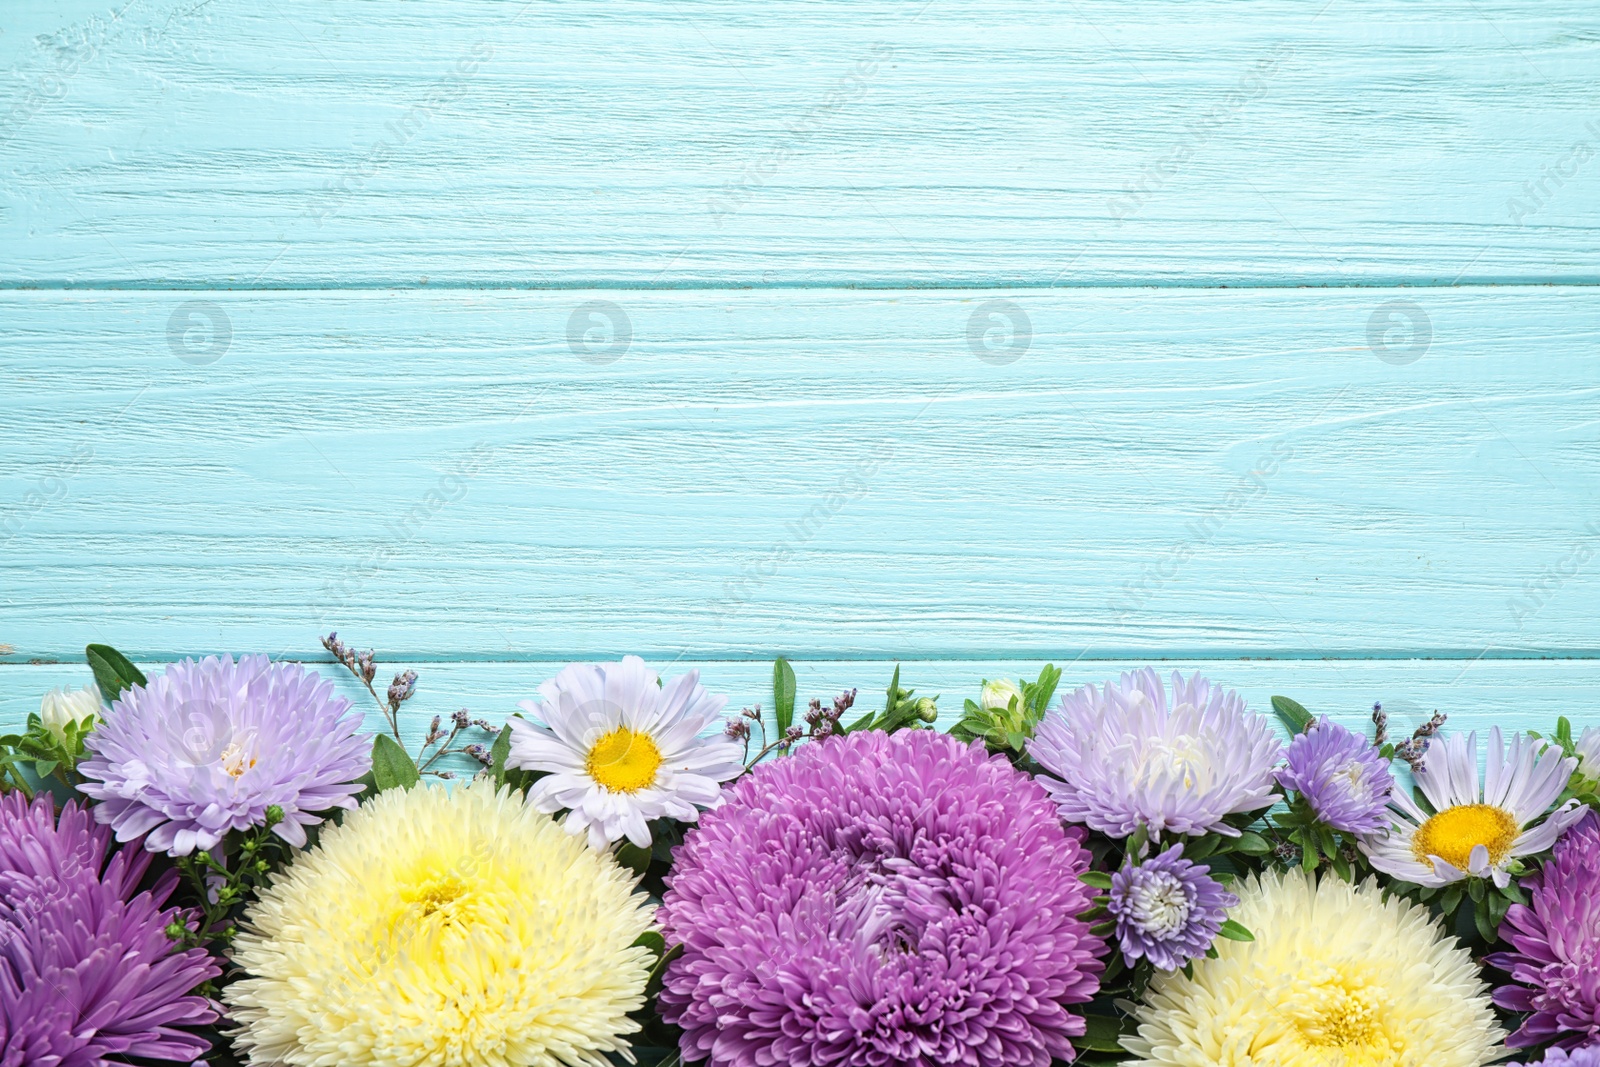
(833, 474)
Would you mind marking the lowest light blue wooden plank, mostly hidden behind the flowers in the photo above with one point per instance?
(1516, 695)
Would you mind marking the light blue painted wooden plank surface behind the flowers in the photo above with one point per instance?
(1247, 335)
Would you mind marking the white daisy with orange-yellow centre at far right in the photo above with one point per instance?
(1474, 831)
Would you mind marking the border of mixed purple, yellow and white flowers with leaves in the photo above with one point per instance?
(217, 863)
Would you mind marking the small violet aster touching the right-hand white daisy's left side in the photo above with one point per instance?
(1345, 780)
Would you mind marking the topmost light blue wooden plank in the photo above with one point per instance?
(916, 143)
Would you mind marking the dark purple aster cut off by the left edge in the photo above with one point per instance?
(87, 972)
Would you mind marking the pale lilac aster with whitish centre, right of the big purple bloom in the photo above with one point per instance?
(1129, 756)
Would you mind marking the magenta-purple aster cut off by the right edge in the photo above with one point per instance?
(1556, 940)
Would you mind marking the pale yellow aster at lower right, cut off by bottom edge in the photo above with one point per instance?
(1335, 975)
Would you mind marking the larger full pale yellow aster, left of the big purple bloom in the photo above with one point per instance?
(442, 927)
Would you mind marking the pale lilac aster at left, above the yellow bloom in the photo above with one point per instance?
(209, 746)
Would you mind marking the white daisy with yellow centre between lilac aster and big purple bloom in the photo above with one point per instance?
(623, 748)
